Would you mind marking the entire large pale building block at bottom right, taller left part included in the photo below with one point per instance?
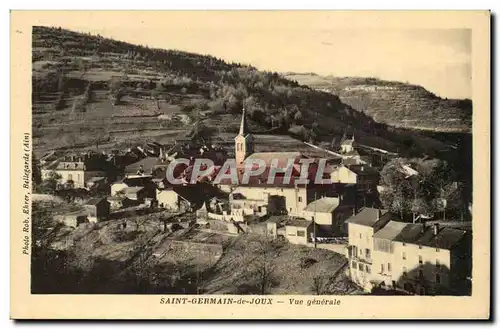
(414, 258)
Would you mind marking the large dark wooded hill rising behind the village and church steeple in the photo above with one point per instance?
(87, 86)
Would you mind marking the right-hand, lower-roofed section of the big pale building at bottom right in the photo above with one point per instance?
(432, 260)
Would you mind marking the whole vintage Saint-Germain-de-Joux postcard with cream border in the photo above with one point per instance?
(250, 165)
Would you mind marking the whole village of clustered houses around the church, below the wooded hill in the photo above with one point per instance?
(381, 252)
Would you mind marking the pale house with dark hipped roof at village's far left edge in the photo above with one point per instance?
(76, 170)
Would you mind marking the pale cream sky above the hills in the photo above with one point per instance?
(439, 59)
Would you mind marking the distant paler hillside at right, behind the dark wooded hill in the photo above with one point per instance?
(395, 103)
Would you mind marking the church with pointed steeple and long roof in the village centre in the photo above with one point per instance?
(261, 197)
